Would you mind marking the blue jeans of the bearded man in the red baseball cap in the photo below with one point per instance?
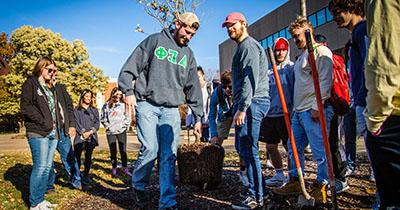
(246, 143)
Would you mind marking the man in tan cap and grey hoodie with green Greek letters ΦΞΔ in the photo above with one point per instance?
(165, 73)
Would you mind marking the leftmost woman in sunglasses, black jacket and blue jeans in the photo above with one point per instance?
(41, 113)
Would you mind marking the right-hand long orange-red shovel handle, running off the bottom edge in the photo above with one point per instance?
(311, 60)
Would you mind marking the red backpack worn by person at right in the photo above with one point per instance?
(340, 96)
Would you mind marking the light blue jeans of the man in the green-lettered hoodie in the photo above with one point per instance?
(158, 130)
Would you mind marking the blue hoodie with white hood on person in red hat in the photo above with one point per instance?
(286, 74)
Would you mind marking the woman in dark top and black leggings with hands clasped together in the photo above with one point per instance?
(87, 125)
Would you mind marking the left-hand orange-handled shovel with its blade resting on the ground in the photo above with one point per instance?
(304, 199)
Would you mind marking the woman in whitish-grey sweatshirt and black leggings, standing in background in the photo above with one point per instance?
(116, 122)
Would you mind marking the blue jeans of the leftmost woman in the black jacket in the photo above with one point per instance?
(42, 150)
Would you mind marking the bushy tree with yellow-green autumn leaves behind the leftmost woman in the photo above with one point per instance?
(25, 47)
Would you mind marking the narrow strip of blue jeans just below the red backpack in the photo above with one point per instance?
(350, 138)
